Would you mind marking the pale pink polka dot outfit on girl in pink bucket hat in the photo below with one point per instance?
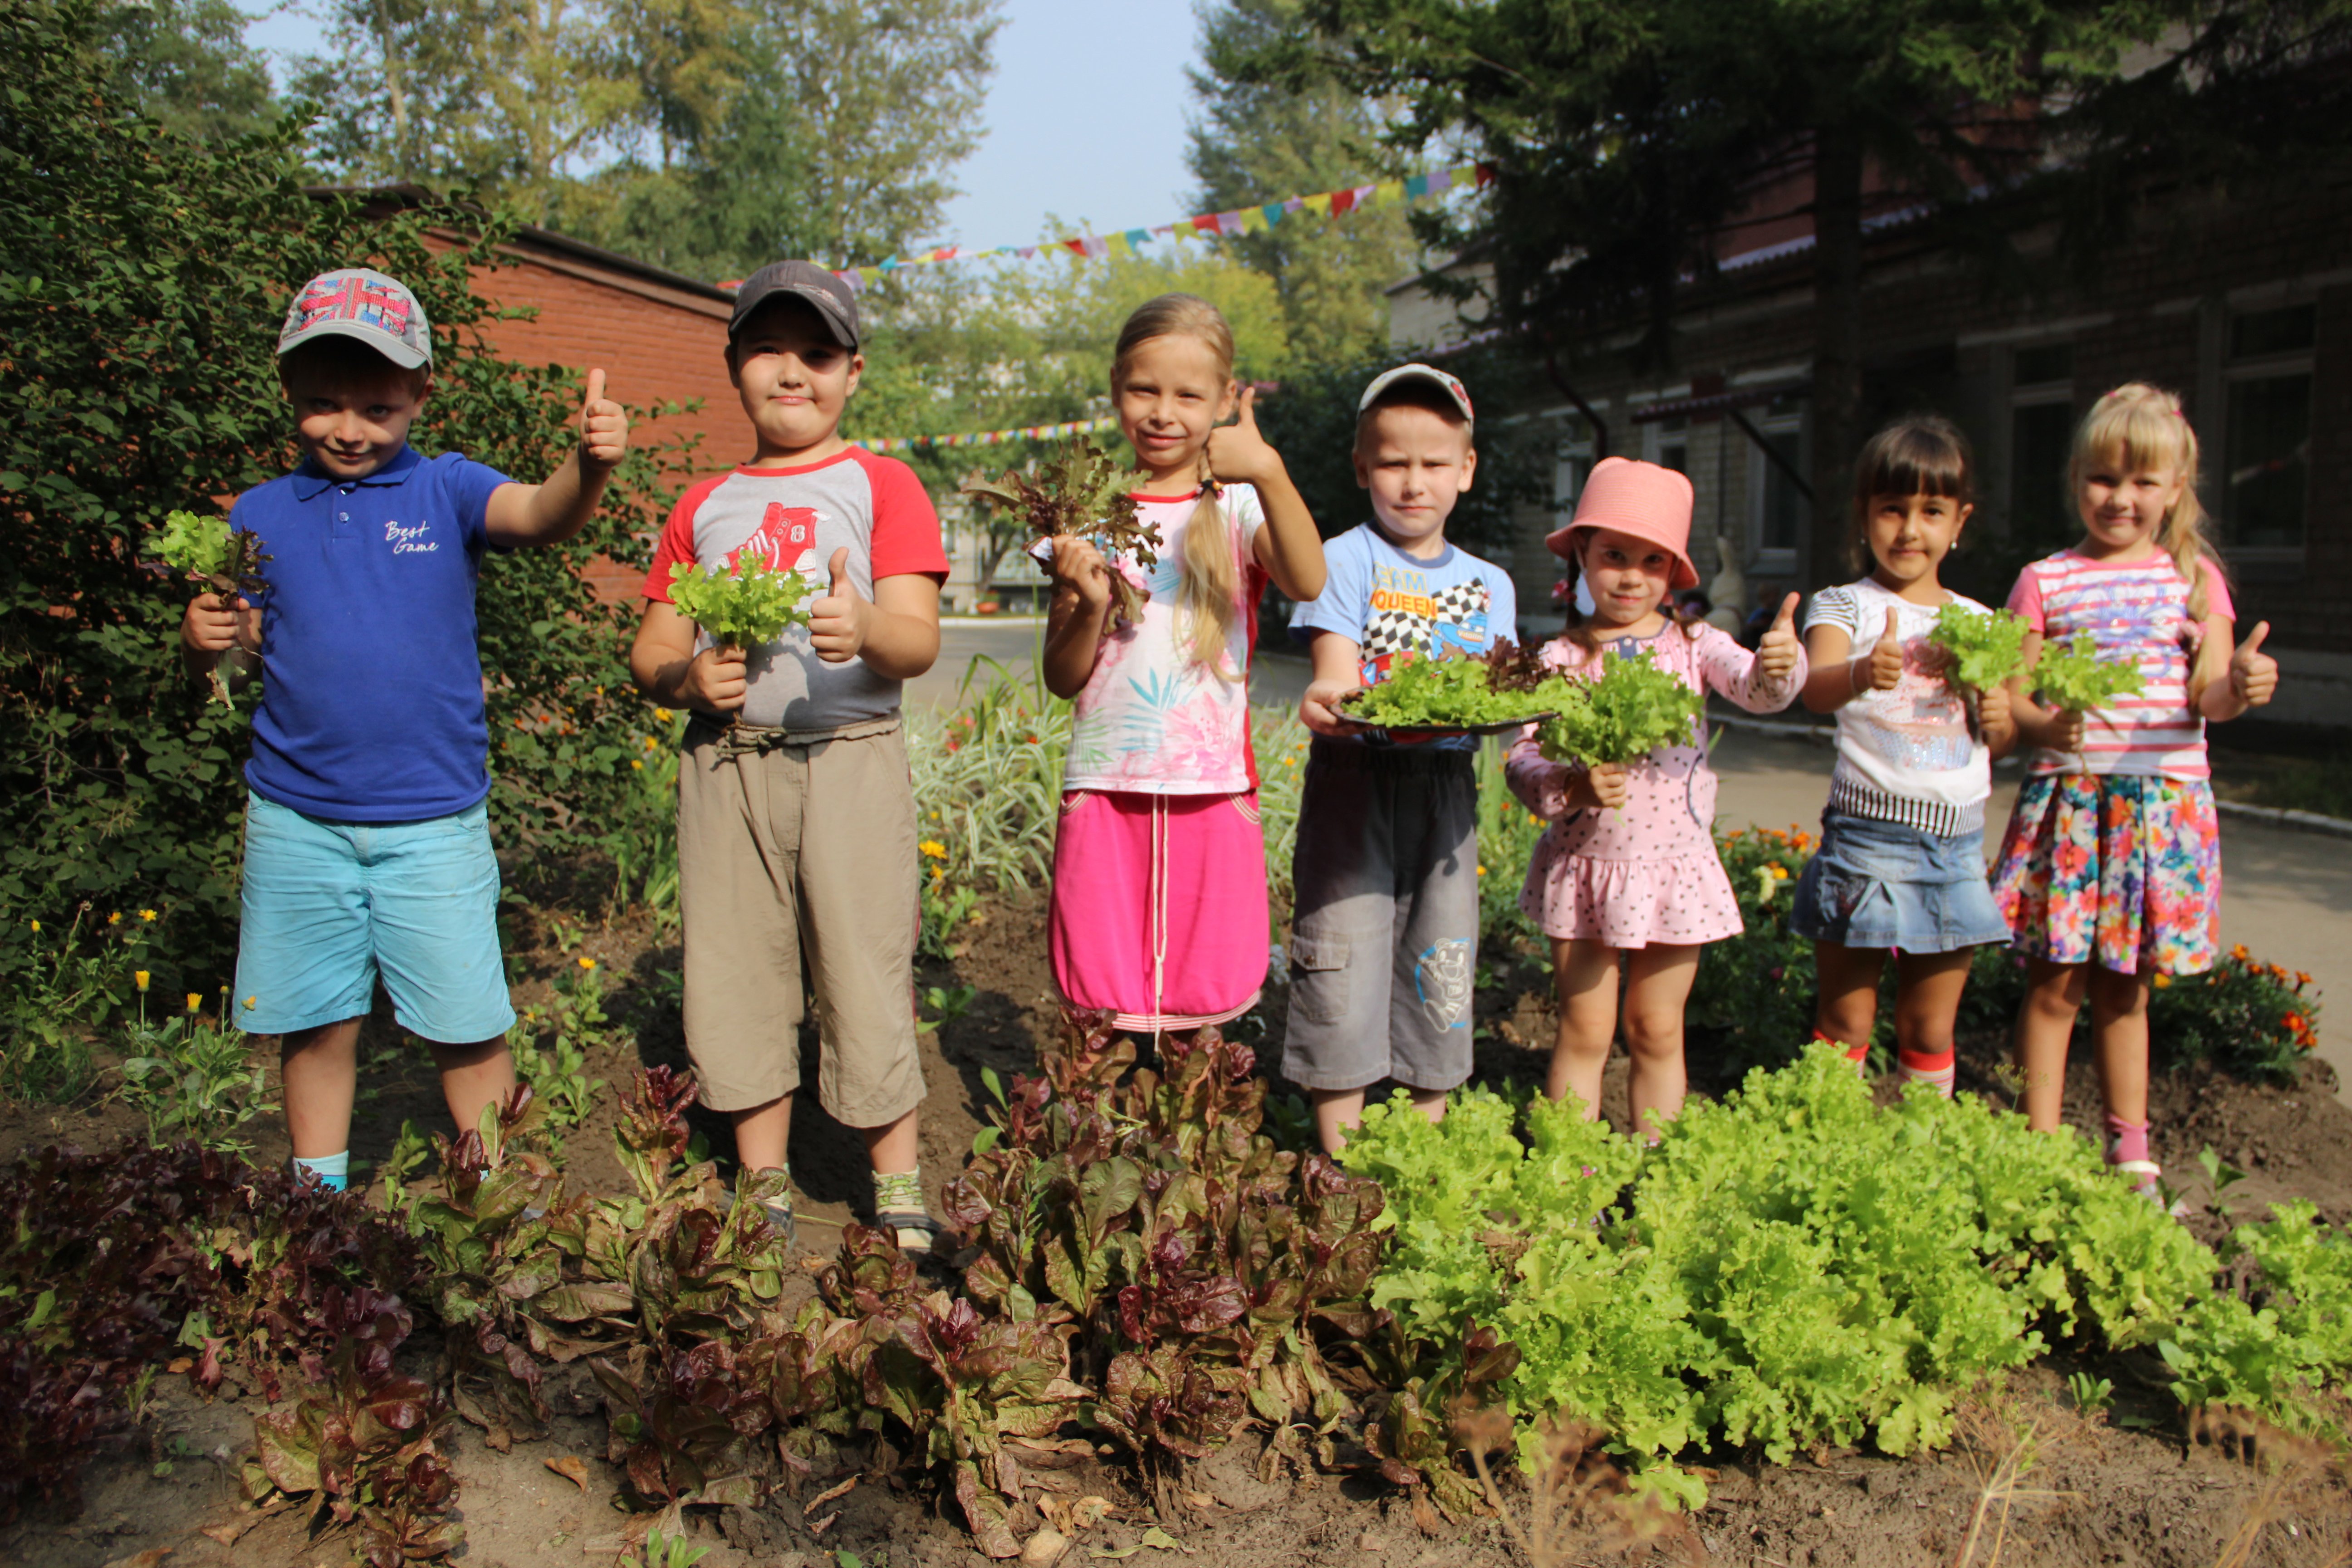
(1643, 876)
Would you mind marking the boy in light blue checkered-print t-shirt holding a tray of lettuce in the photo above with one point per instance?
(1384, 944)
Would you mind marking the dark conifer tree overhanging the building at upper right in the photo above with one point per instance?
(1631, 138)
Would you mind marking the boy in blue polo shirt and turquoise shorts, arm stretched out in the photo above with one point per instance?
(366, 829)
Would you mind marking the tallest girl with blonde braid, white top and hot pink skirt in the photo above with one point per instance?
(1161, 866)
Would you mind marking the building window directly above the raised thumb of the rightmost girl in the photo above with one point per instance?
(2269, 429)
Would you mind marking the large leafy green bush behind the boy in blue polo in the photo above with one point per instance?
(145, 283)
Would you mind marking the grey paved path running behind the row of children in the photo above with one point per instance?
(2287, 894)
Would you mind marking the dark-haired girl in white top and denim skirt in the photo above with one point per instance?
(1902, 864)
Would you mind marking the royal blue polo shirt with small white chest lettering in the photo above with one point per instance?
(373, 683)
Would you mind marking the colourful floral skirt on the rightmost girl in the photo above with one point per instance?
(2118, 869)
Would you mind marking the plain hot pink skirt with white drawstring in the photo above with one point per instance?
(1161, 909)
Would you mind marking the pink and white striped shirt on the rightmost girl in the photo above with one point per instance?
(2141, 612)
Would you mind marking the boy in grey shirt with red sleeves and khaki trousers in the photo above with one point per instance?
(796, 819)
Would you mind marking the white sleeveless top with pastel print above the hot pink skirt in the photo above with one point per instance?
(1154, 721)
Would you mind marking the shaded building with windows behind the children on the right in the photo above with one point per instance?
(2240, 304)
